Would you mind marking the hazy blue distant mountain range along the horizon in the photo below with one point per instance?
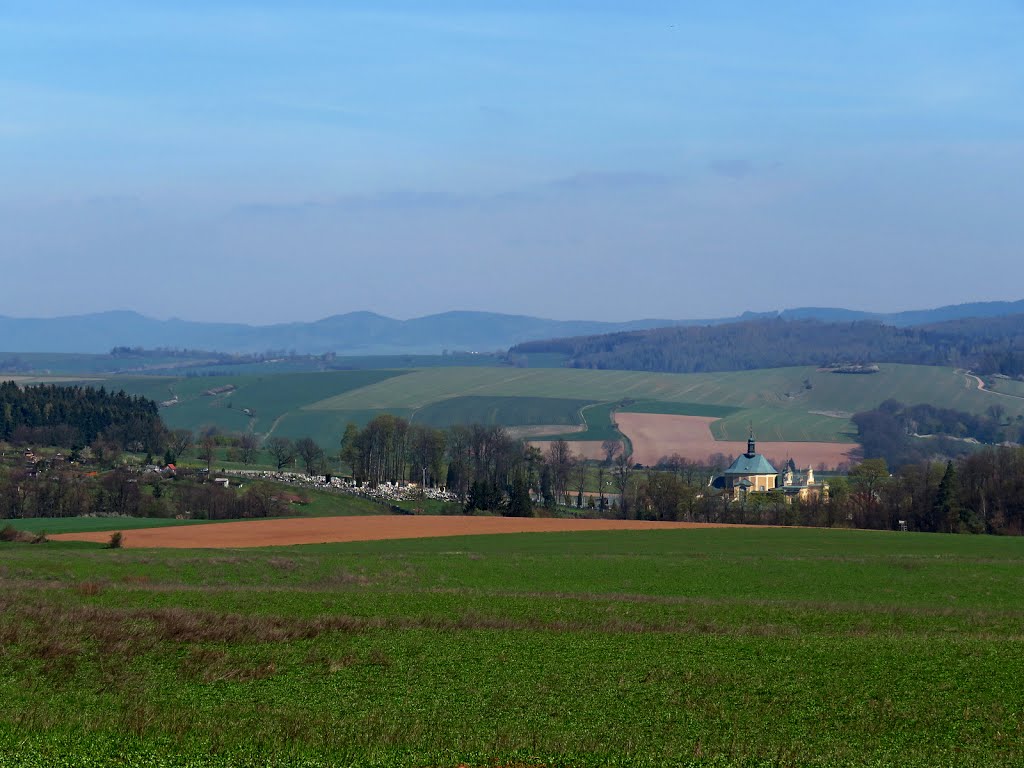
(367, 333)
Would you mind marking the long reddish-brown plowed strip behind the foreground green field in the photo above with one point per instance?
(329, 530)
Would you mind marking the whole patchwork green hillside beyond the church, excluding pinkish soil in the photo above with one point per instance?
(802, 405)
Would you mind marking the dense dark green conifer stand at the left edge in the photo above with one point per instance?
(77, 416)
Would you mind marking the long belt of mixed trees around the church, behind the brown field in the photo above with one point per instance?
(983, 492)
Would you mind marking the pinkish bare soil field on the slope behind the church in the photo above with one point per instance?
(657, 436)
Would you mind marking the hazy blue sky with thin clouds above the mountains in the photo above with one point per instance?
(268, 162)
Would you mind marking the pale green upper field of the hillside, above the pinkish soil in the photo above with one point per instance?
(778, 401)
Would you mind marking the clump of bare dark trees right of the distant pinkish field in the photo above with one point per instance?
(907, 435)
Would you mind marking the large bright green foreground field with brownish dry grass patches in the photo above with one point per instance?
(767, 648)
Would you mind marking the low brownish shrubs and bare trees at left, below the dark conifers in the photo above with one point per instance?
(75, 494)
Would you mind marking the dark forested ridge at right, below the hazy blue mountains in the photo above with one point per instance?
(990, 347)
